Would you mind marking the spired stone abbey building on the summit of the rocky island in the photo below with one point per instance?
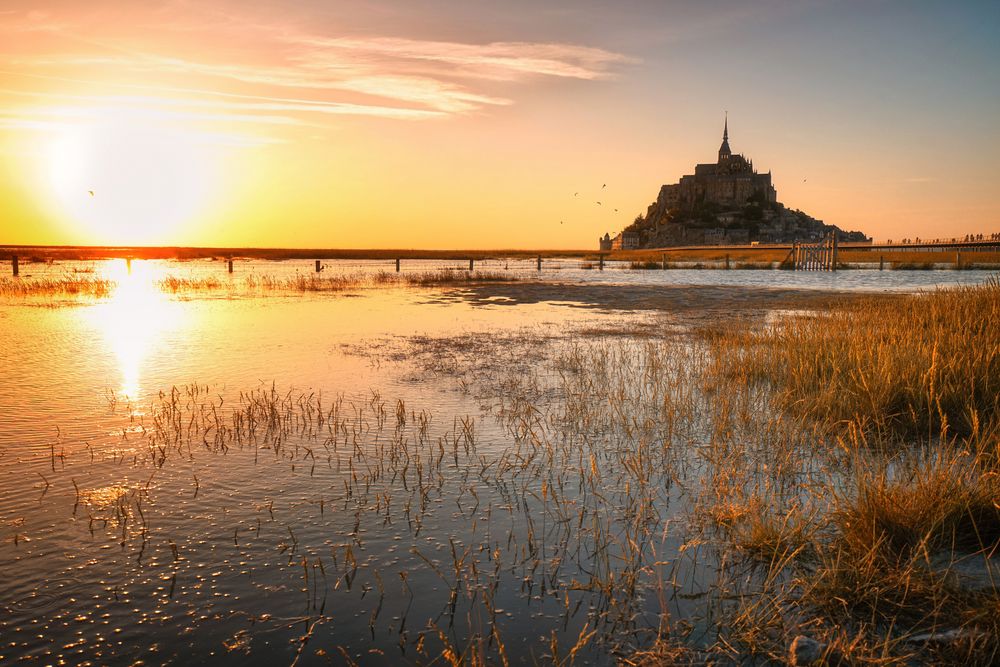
(732, 181)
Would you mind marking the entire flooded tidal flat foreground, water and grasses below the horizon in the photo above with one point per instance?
(497, 466)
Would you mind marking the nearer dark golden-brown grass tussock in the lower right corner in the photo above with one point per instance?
(896, 529)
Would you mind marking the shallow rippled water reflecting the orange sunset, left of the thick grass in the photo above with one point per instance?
(219, 477)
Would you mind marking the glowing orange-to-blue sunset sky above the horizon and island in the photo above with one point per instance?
(433, 124)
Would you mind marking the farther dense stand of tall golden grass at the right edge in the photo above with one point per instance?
(923, 364)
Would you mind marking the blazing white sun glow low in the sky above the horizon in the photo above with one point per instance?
(127, 178)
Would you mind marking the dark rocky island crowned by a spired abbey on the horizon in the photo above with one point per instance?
(726, 202)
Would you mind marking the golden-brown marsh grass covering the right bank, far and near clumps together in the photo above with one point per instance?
(900, 396)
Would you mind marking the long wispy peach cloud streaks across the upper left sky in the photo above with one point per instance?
(298, 73)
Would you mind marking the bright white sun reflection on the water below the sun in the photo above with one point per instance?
(135, 320)
